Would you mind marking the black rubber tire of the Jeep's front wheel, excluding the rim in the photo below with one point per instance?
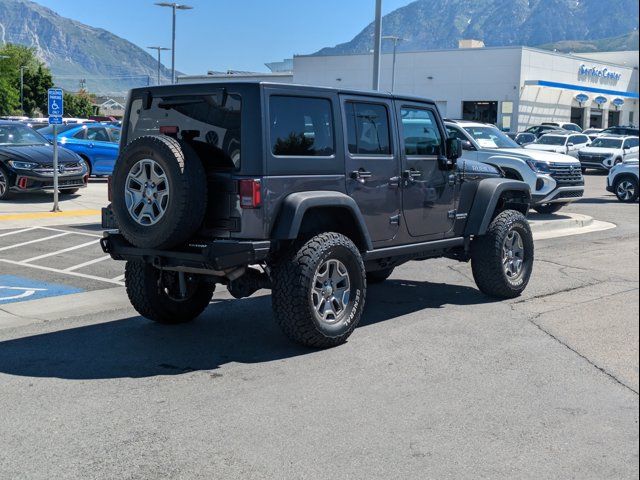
(487, 256)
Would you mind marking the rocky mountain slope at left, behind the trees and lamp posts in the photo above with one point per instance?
(74, 51)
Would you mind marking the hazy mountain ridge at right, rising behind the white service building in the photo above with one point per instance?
(437, 24)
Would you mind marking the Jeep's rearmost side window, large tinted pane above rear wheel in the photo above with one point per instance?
(301, 126)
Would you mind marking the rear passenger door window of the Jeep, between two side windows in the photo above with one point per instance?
(368, 129)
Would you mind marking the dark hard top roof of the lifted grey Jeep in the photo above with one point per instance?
(203, 87)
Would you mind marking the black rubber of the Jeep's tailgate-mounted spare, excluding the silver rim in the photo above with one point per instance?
(187, 192)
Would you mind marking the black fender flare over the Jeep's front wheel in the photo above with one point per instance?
(486, 198)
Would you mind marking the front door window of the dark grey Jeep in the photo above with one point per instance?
(420, 130)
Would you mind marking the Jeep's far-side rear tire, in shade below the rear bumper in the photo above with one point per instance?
(150, 301)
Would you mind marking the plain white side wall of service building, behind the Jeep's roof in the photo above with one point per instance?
(456, 75)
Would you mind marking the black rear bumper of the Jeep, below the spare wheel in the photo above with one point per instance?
(213, 257)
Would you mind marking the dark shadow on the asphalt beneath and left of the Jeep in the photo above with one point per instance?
(241, 331)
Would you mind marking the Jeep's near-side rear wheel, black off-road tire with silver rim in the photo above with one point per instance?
(319, 291)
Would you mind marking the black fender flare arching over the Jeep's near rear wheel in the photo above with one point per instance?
(295, 205)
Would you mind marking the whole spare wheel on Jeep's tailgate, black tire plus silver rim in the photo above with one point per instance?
(159, 192)
